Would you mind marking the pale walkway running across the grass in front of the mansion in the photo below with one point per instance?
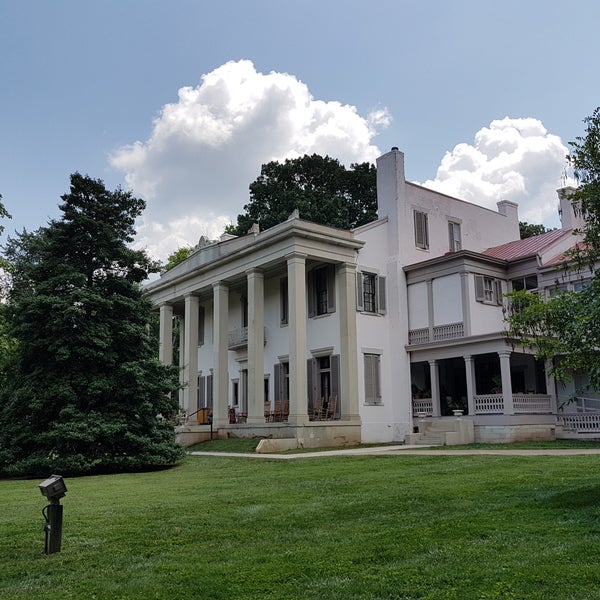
(407, 450)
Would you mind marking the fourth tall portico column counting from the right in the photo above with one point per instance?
(220, 349)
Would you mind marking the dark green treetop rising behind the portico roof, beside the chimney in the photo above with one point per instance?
(321, 188)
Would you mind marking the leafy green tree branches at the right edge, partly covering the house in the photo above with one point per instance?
(567, 326)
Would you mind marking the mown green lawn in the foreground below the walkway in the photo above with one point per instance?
(370, 527)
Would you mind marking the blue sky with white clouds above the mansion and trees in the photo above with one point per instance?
(482, 96)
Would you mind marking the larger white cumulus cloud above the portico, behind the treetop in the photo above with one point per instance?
(206, 148)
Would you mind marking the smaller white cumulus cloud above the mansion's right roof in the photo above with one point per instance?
(512, 159)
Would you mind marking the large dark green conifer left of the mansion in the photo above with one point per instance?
(87, 393)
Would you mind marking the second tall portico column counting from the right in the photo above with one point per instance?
(296, 267)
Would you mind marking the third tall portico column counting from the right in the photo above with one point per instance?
(256, 346)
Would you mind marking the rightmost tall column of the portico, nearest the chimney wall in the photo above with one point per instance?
(348, 344)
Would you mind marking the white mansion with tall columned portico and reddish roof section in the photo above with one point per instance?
(312, 336)
